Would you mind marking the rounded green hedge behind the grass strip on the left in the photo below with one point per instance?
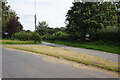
(23, 36)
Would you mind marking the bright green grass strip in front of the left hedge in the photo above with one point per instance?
(17, 42)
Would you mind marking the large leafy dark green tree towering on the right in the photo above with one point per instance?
(83, 17)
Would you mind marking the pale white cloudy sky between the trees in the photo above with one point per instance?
(51, 11)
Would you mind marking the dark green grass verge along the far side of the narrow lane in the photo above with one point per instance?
(97, 45)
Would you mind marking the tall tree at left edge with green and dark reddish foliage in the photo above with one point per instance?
(10, 21)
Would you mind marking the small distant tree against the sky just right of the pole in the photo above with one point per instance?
(42, 28)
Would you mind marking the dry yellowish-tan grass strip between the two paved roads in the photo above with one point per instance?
(70, 55)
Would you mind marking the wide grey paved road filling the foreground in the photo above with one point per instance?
(21, 64)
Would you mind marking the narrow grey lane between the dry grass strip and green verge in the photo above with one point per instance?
(106, 55)
